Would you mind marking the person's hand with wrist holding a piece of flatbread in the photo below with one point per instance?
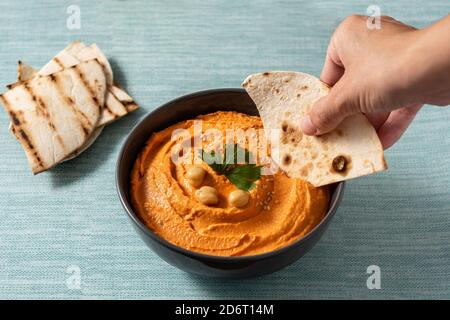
(387, 74)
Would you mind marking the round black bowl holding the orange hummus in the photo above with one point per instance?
(188, 107)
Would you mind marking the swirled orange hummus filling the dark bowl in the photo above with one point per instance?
(279, 211)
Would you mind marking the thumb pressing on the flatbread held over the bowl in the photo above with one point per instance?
(329, 111)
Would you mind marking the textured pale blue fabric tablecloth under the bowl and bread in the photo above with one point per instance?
(71, 216)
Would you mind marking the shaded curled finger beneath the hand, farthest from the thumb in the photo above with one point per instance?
(396, 124)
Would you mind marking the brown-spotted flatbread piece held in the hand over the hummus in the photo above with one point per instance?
(283, 99)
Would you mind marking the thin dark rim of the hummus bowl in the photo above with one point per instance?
(339, 191)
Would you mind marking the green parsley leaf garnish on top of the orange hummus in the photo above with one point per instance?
(236, 163)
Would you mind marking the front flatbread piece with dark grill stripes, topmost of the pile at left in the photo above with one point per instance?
(53, 116)
